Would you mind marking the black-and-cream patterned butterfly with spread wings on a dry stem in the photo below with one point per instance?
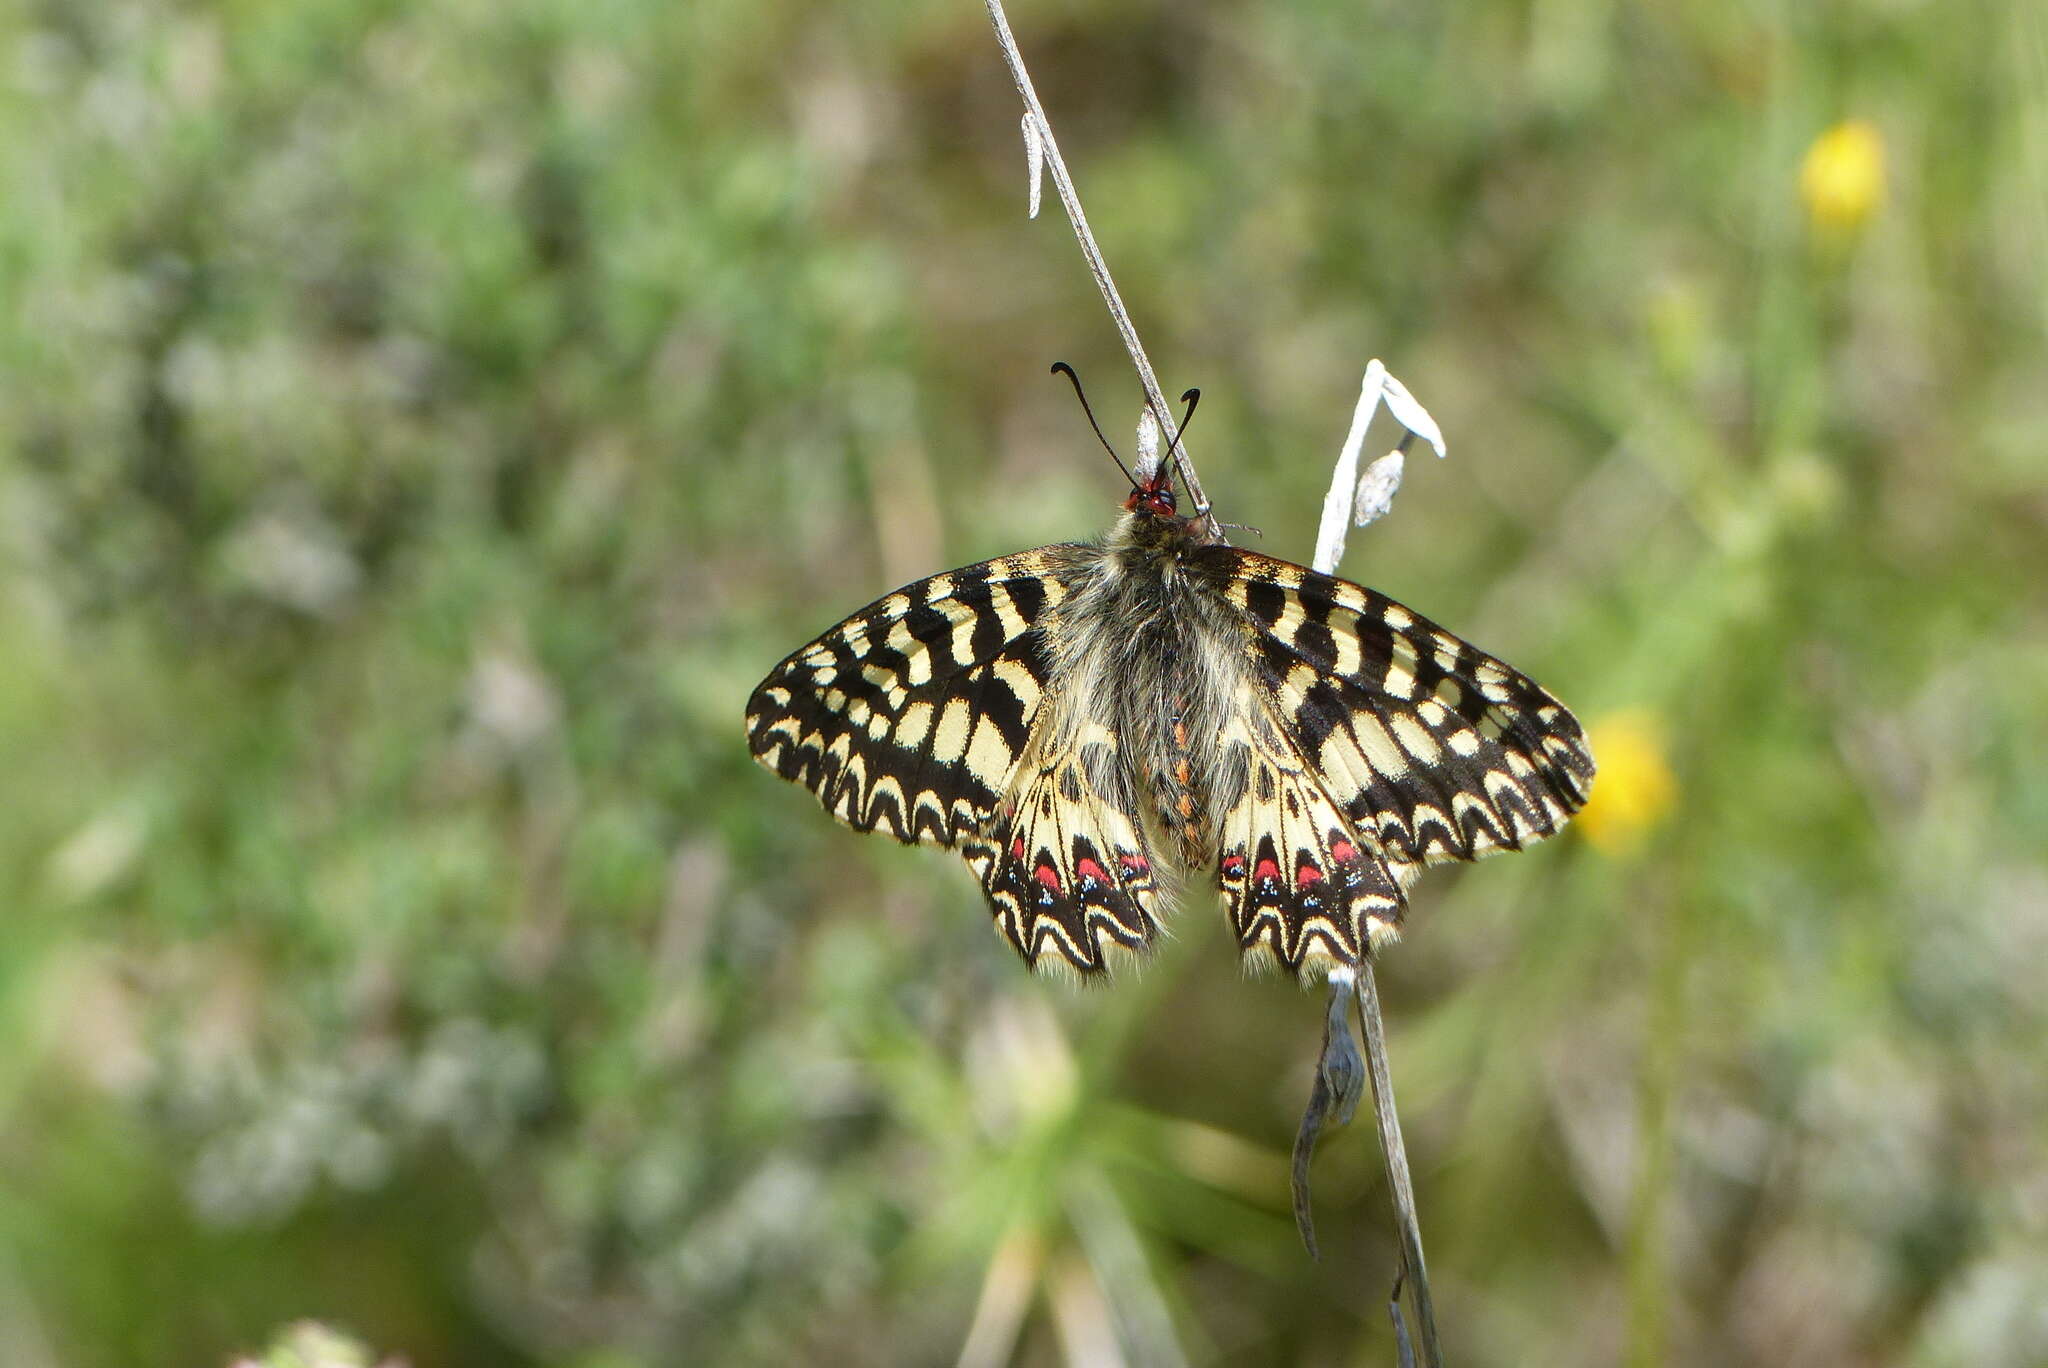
(1091, 722)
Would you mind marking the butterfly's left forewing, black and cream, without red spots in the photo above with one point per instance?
(910, 716)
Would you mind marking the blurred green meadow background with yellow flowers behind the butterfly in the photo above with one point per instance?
(421, 425)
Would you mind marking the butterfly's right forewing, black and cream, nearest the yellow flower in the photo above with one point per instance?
(1431, 746)
